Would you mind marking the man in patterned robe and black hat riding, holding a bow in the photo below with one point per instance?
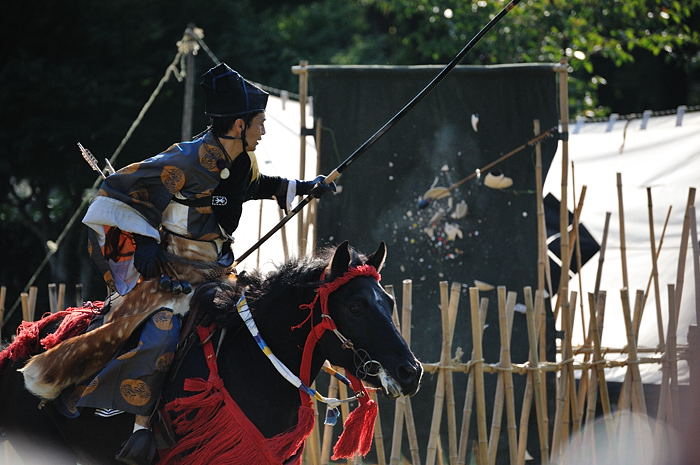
(157, 228)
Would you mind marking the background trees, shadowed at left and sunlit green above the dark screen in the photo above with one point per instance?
(81, 71)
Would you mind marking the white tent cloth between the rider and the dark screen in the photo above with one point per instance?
(278, 155)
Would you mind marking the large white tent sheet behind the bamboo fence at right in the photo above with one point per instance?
(666, 158)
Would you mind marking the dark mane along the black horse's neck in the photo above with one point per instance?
(296, 273)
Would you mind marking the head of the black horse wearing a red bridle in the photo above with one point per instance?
(368, 344)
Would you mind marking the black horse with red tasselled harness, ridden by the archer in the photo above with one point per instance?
(360, 308)
